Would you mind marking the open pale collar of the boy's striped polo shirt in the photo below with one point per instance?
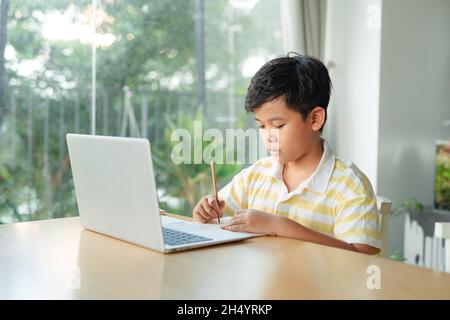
(319, 179)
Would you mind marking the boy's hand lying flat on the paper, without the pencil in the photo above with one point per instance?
(253, 221)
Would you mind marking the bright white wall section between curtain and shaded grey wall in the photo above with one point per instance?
(352, 46)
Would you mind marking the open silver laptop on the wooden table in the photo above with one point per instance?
(117, 196)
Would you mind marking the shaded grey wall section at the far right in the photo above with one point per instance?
(414, 99)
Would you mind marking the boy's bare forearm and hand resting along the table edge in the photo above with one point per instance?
(261, 222)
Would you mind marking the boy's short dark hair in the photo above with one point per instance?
(303, 82)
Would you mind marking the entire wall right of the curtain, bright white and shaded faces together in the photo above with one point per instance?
(392, 92)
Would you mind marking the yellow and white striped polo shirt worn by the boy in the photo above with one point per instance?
(337, 199)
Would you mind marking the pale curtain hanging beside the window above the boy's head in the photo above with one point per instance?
(303, 23)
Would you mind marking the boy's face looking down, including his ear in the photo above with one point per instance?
(286, 135)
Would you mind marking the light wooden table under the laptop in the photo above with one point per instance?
(58, 259)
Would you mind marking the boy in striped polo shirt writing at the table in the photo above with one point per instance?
(301, 191)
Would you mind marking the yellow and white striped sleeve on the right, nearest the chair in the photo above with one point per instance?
(357, 221)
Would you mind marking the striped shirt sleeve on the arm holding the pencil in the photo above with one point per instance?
(235, 193)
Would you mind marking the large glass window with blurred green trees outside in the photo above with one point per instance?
(158, 65)
